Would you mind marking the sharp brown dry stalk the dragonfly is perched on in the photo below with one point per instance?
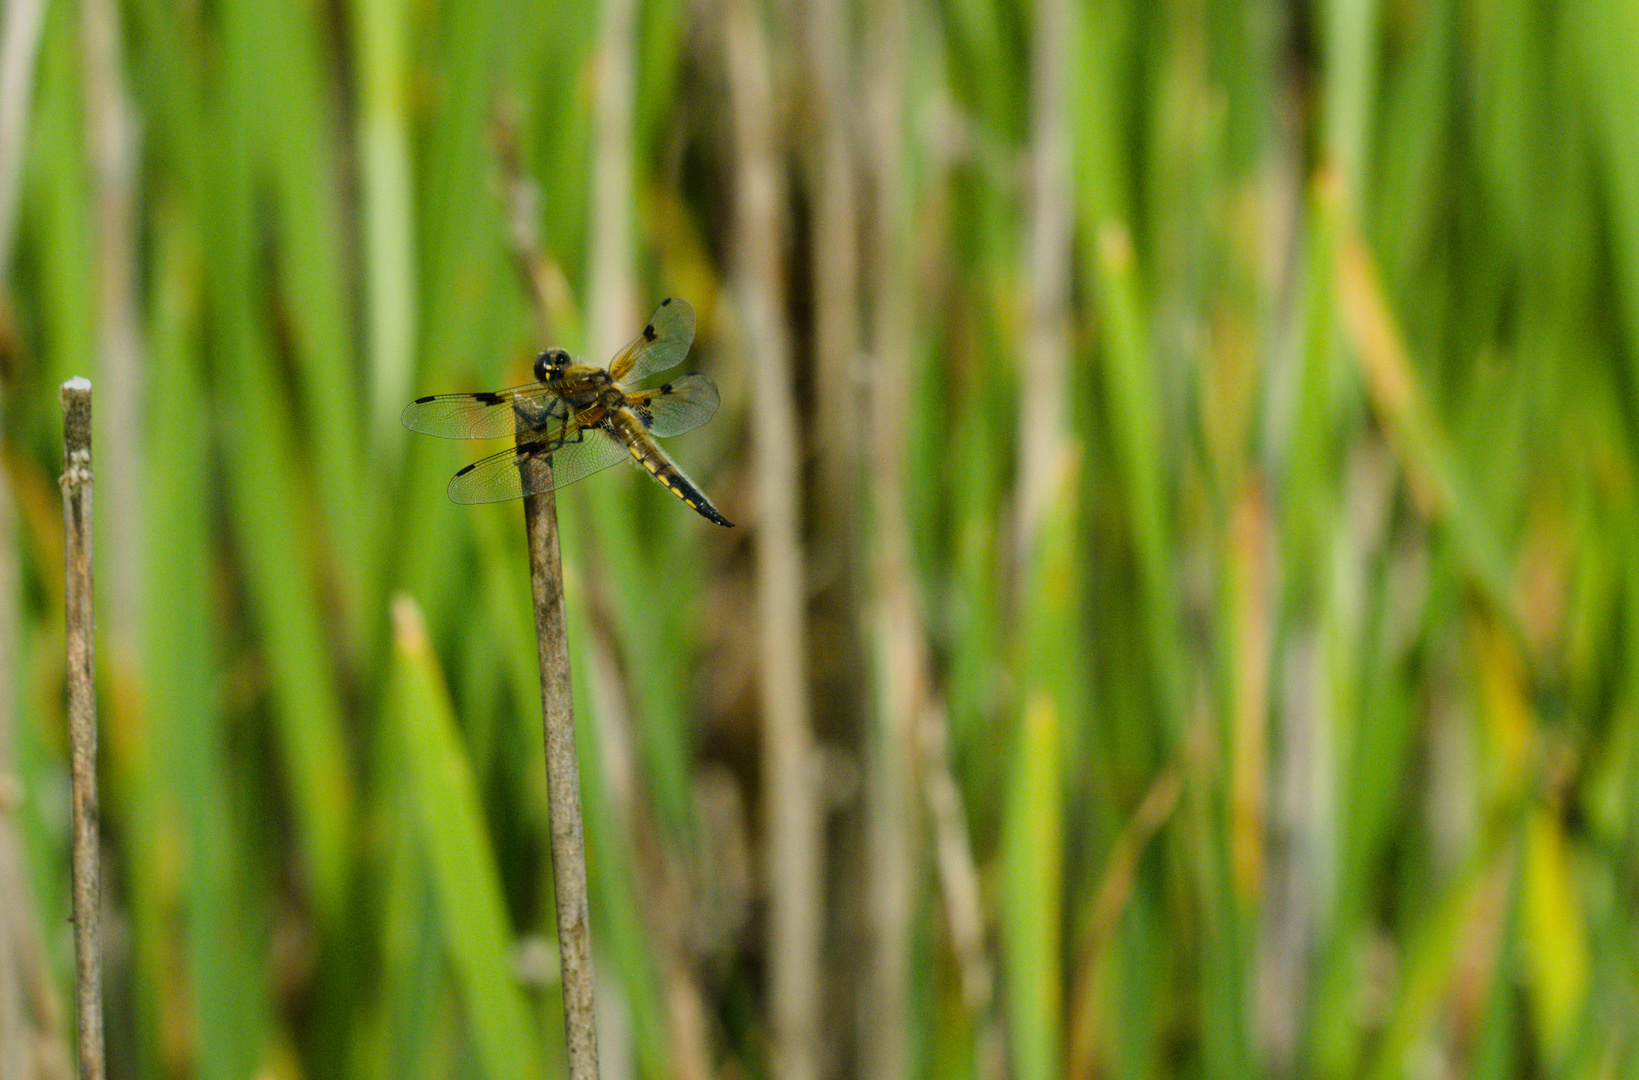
(563, 776)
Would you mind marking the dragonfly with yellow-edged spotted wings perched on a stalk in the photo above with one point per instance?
(583, 419)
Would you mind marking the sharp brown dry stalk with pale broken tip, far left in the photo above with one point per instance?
(83, 717)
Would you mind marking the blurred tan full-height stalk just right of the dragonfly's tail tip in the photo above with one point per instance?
(794, 824)
